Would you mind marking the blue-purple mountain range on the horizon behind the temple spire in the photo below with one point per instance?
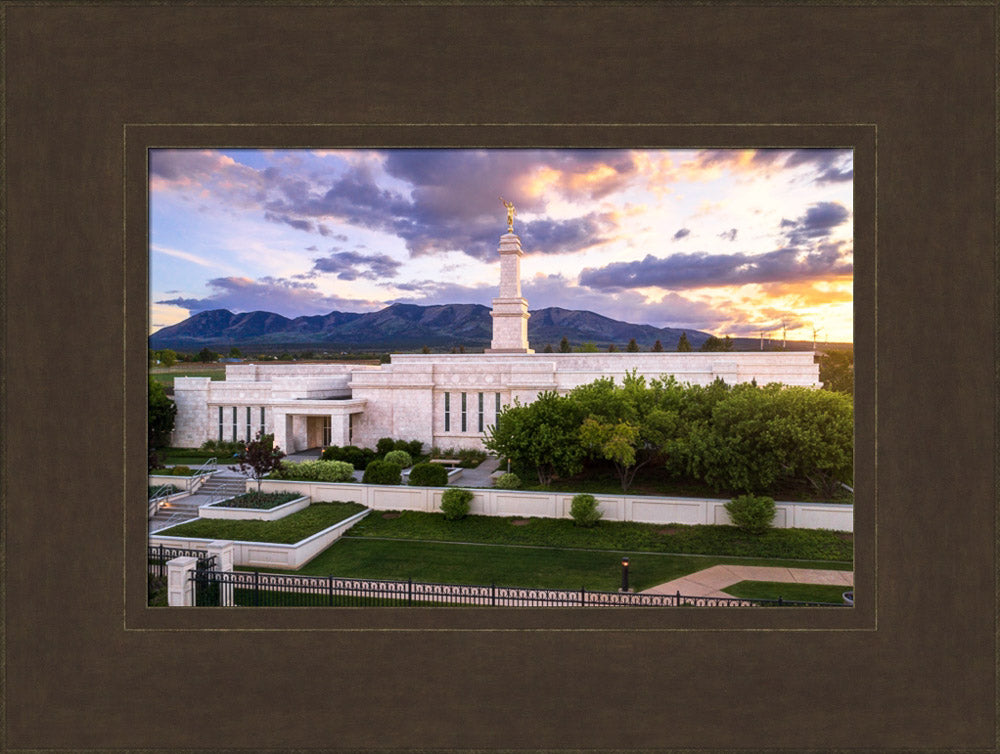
(405, 327)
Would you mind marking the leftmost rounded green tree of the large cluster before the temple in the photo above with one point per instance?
(543, 435)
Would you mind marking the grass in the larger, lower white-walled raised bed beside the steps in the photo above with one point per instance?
(287, 530)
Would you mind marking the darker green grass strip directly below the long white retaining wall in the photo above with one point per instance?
(807, 544)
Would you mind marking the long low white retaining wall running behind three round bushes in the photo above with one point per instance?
(642, 508)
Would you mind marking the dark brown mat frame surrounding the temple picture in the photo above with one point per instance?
(88, 88)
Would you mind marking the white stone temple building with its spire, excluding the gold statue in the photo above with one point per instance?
(447, 400)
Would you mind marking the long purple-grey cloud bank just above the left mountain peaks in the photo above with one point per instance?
(285, 297)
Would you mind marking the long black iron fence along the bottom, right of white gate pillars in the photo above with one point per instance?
(255, 589)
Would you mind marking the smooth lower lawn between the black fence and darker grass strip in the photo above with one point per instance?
(509, 566)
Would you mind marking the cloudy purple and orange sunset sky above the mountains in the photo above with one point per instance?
(731, 242)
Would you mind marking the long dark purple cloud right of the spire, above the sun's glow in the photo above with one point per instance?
(700, 270)
